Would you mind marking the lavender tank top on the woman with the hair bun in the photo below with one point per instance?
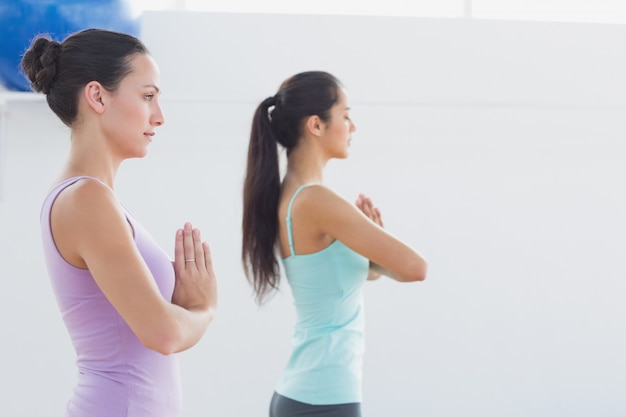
(117, 375)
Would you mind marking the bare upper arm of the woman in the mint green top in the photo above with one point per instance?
(342, 220)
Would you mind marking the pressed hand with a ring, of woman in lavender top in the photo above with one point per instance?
(196, 286)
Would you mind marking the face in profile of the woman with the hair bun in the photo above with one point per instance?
(134, 111)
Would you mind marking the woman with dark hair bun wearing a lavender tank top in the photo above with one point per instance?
(127, 307)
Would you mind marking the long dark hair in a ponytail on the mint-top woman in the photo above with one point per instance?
(277, 120)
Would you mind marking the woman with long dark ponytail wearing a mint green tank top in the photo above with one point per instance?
(328, 246)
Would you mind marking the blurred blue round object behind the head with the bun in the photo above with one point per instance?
(22, 20)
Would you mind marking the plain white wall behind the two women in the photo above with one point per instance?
(495, 148)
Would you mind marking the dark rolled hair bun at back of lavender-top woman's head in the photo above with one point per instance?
(40, 63)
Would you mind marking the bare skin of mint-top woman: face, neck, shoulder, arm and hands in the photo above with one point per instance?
(321, 216)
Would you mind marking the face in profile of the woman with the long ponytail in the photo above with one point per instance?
(337, 133)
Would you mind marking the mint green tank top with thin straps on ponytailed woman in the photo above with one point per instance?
(326, 363)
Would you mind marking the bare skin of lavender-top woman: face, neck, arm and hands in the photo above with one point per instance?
(91, 231)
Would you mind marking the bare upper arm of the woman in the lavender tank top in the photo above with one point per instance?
(90, 225)
